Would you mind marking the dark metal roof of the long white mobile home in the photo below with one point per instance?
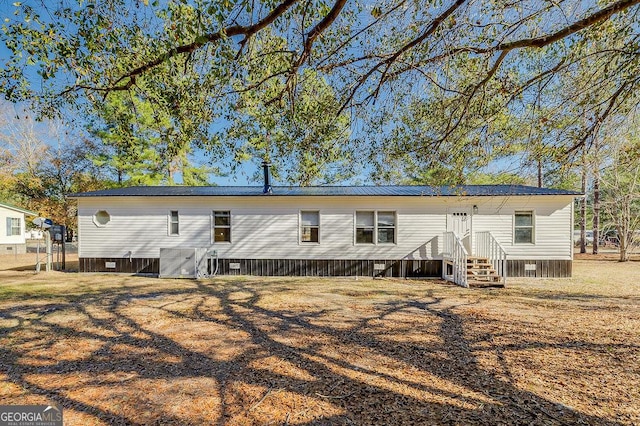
(347, 191)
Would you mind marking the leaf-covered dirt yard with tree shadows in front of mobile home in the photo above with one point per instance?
(244, 351)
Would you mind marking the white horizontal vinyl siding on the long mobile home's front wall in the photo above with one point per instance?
(269, 227)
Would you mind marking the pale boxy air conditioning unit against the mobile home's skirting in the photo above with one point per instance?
(178, 262)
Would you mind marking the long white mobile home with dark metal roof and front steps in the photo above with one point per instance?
(405, 231)
